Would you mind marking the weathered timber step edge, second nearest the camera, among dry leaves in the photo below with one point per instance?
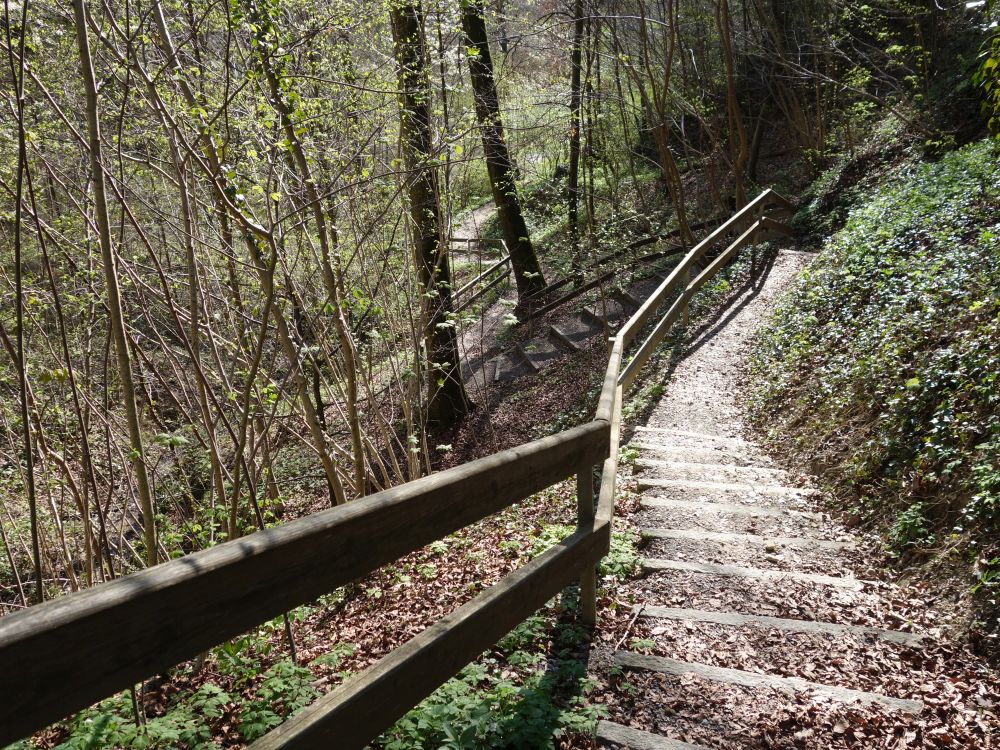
(754, 680)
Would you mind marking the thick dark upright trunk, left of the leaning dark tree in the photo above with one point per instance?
(446, 398)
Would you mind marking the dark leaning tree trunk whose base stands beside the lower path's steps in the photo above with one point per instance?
(527, 272)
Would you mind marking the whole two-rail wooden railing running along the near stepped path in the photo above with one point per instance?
(66, 654)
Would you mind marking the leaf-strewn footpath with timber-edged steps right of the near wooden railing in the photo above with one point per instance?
(759, 621)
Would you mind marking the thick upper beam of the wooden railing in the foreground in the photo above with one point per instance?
(75, 650)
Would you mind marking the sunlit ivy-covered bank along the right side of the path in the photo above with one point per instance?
(883, 363)
